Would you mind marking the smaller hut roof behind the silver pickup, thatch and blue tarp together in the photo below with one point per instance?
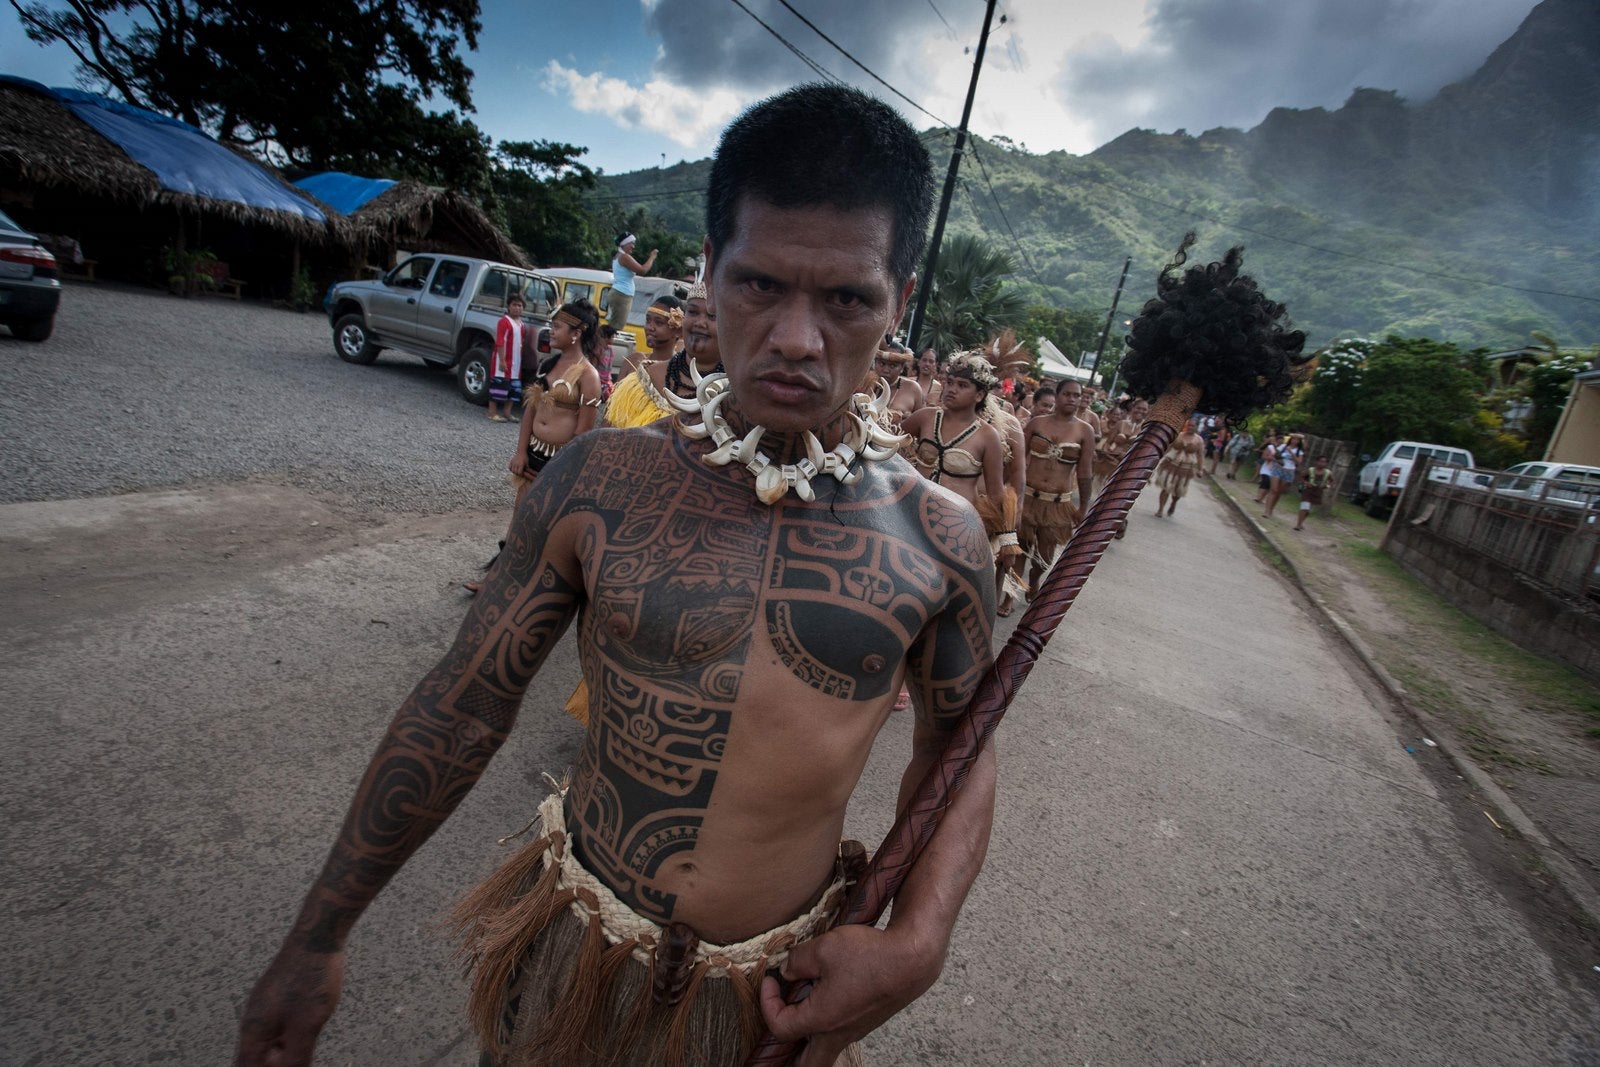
(386, 217)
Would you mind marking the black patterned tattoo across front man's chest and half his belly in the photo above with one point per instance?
(686, 577)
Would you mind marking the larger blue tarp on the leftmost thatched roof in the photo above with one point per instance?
(182, 158)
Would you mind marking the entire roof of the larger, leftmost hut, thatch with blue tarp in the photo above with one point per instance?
(76, 145)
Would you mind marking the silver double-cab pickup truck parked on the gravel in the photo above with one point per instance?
(442, 310)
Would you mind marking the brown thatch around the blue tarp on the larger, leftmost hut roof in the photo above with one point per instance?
(44, 145)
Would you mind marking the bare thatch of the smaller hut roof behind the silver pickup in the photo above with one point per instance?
(425, 218)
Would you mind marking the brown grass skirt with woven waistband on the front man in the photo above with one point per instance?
(566, 975)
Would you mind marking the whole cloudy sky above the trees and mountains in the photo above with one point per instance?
(642, 82)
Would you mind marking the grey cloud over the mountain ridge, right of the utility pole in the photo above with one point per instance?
(1228, 63)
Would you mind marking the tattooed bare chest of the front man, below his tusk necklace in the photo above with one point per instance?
(686, 596)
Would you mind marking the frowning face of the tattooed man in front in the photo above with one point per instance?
(804, 298)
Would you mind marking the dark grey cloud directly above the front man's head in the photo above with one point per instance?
(714, 44)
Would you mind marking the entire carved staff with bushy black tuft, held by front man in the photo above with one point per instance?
(1212, 337)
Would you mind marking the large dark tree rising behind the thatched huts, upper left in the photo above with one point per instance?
(327, 86)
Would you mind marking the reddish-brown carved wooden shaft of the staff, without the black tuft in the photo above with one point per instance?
(921, 818)
